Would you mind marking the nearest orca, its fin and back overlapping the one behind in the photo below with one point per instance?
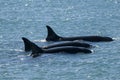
(37, 51)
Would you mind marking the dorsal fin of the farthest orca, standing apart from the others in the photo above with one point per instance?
(52, 36)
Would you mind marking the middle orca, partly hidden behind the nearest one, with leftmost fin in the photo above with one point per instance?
(66, 43)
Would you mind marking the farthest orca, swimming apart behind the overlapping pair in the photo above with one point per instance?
(52, 36)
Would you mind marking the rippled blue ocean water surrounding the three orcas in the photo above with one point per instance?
(28, 18)
